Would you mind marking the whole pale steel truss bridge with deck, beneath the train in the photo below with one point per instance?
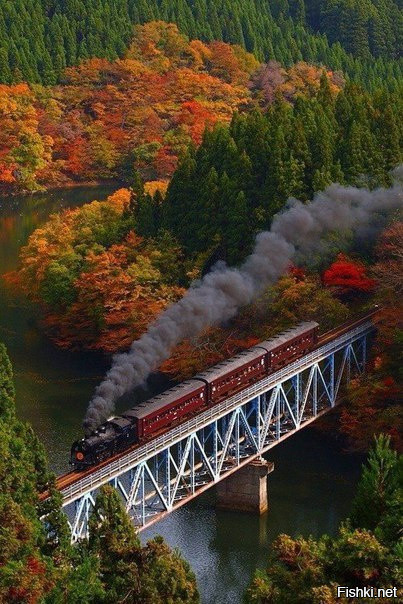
(160, 476)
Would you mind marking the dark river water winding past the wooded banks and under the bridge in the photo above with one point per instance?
(310, 489)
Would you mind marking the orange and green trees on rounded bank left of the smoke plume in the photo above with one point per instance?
(100, 289)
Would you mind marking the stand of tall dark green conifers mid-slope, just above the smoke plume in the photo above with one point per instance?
(232, 185)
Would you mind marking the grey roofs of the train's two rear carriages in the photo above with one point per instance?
(242, 358)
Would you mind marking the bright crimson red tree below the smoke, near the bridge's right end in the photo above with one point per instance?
(347, 276)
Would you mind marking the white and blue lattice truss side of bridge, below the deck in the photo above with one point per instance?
(172, 476)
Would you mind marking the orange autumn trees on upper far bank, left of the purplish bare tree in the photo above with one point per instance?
(88, 127)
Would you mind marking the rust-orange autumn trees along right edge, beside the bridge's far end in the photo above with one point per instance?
(376, 397)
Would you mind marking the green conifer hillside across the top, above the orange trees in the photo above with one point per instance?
(39, 38)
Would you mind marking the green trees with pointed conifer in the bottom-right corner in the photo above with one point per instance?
(365, 551)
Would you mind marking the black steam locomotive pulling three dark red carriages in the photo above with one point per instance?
(154, 416)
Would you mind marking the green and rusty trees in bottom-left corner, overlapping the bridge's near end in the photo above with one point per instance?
(38, 563)
